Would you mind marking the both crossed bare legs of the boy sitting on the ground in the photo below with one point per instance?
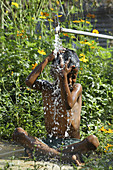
(88, 144)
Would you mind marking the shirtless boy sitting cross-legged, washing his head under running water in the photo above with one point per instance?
(62, 102)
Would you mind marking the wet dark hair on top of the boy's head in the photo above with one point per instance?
(66, 55)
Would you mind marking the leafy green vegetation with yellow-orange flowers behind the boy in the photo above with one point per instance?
(27, 37)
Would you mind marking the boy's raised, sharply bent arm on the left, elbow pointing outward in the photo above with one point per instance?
(30, 80)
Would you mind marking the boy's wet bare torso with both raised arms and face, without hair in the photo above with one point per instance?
(62, 107)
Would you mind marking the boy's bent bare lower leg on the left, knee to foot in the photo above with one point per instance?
(33, 143)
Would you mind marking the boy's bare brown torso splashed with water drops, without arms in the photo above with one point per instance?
(60, 122)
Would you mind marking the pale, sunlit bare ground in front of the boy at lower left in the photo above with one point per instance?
(12, 157)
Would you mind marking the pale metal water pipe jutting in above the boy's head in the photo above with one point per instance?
(84, 33)
